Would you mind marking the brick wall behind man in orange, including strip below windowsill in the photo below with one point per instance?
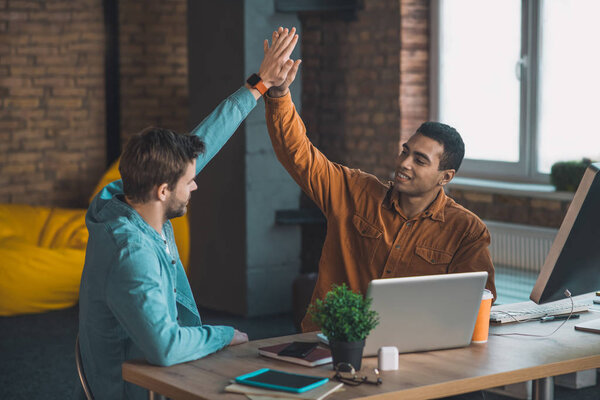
(366, 89)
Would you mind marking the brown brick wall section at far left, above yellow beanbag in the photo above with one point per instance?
(51, 101)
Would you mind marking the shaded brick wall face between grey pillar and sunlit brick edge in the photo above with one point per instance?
(351, 85)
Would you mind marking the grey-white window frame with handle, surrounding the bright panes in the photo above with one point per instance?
(525, 170)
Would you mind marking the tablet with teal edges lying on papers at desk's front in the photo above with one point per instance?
(280, 380)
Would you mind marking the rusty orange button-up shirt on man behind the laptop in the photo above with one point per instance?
(368, 235)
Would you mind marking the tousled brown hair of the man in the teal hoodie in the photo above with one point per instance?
(156, 156)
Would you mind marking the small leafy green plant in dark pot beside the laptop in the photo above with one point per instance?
(346, 319)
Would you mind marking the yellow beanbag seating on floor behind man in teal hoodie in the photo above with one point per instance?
(42, 252)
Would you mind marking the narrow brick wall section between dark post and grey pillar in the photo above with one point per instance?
(154, 78)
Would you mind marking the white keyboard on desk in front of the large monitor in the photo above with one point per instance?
(529, 310)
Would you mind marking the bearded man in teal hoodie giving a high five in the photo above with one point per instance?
(135, 299)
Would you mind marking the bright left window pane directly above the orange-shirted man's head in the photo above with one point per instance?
(479, 48)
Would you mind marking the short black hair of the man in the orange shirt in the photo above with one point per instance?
(447, 136)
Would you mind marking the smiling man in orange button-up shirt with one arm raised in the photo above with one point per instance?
(406, 227)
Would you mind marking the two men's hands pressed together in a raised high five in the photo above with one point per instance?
(277, 70)
